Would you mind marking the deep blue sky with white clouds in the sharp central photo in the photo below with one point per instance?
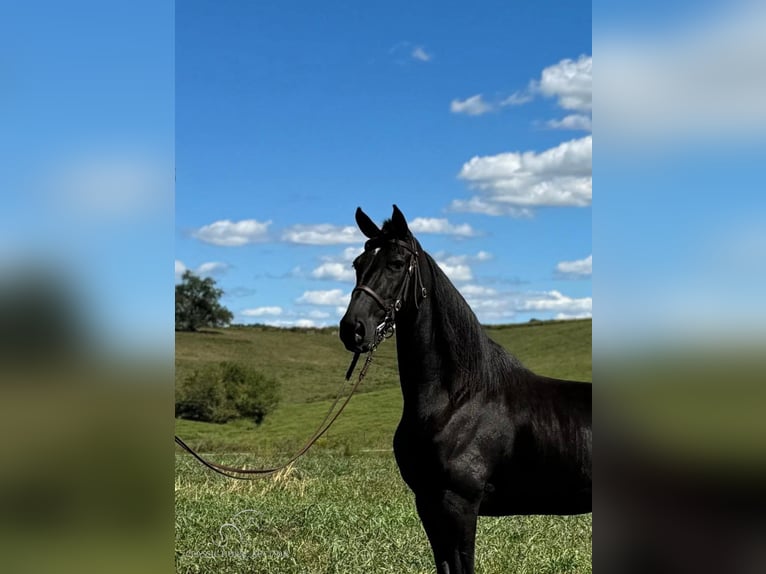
(476, 123)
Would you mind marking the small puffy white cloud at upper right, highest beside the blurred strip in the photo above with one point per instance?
(570, 81)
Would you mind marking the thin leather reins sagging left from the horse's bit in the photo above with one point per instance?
(383, 331)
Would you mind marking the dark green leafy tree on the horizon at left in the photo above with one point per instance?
(197, 304)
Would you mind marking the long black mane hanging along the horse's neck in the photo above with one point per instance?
(478, 364)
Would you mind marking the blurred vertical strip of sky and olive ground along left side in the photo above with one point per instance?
(86, 286)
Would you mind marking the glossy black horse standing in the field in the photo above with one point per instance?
(480, 434)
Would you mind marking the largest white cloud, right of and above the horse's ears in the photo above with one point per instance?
(560, 176)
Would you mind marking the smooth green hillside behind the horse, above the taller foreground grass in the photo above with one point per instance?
(310, 365)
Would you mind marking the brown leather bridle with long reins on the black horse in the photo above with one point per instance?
(383, 331)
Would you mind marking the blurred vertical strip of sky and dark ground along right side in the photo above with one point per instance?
(679, 230)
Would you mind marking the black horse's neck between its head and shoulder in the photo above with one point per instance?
(438, 341)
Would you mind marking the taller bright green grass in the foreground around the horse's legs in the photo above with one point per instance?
(345, 515)
